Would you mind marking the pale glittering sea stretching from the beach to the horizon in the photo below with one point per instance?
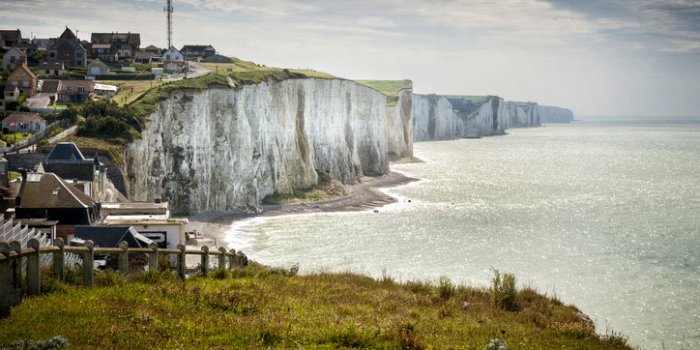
(604, 215)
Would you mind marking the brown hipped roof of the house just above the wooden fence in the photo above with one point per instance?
(48, 191)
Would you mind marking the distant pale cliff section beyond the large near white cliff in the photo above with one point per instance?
(450, 117)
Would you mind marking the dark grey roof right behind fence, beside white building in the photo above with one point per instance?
(111, 236)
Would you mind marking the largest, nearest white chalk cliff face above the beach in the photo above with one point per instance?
(220, 148)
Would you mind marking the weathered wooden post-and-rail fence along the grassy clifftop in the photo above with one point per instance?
(11, 255)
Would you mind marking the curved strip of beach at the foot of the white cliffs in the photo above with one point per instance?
(365, 195)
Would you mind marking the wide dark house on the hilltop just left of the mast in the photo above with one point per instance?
(121, 45)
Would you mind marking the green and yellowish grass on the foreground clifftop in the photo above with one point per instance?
(258, 308)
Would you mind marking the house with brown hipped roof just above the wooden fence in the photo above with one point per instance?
(46, 196)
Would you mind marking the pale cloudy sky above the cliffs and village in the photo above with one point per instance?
(596, 57)
